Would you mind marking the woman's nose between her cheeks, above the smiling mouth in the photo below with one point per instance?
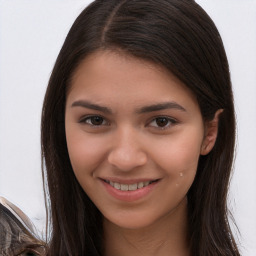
(127, 151)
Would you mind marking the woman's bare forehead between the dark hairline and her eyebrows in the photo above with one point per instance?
(124, 79)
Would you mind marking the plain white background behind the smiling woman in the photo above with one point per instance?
(31, 35)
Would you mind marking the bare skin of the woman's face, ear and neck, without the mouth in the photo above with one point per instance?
(130, 144)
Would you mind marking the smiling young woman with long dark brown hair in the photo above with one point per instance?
(138, 133)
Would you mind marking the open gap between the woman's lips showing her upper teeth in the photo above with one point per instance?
(130, 187)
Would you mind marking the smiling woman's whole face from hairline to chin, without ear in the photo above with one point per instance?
(134, 135)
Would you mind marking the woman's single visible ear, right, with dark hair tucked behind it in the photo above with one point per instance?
(211, 133)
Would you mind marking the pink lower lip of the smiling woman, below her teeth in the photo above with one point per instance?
(129, 196)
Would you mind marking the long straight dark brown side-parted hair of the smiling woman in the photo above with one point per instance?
(180, 36)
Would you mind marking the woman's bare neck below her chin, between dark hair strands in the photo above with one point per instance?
(167, 236)
